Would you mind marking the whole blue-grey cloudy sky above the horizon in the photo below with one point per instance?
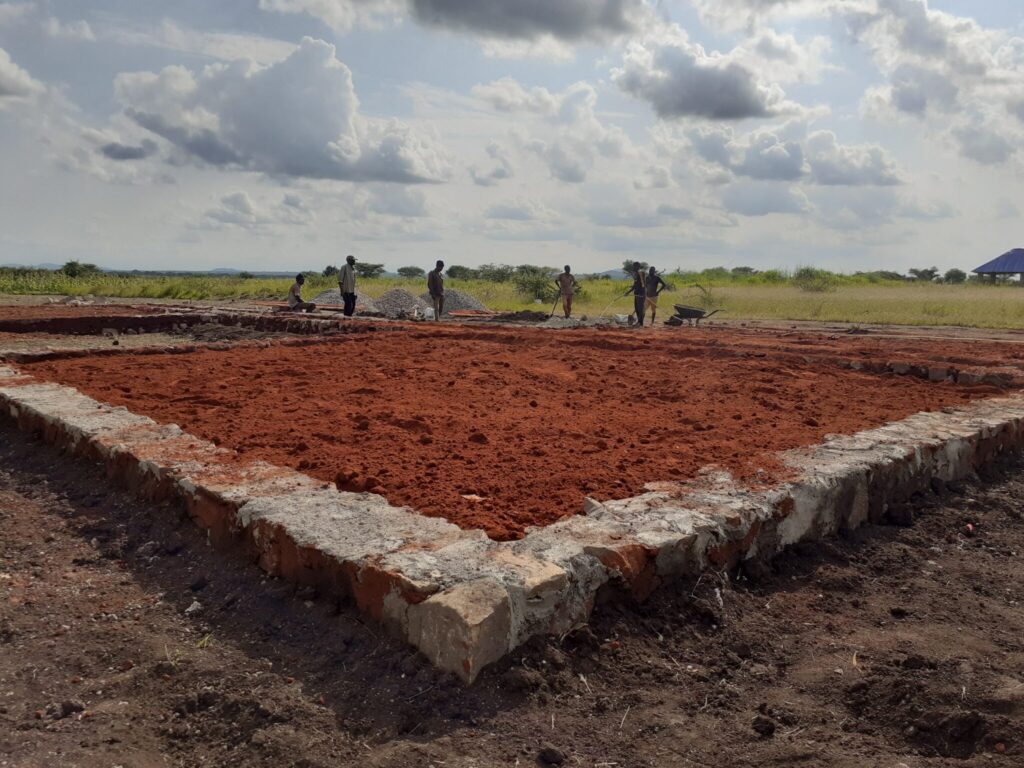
(284, 135)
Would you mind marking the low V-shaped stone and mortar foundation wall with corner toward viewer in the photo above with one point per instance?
(464, 601)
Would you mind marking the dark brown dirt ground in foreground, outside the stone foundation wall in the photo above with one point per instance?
(897, 647)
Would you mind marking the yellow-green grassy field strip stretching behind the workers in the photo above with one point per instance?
(769, 296)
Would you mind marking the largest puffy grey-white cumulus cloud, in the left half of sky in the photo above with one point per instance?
(298, 117)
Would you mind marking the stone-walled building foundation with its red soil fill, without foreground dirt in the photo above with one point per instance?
(473, 486)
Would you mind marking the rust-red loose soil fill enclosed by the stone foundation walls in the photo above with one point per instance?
(524, 422)
